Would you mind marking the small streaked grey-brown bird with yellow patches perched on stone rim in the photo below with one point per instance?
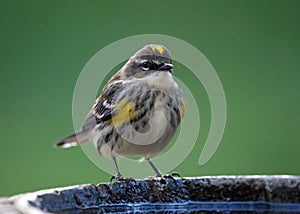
(138, 111)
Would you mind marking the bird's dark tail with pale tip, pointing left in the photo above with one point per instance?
(73, 140)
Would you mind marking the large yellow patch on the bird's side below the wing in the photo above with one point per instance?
(125, 112)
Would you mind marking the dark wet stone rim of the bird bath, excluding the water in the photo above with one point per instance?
(283, 189)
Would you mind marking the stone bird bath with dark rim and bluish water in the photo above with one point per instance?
(173, 195)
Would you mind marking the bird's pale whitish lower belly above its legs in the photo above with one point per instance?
(144, 138)
